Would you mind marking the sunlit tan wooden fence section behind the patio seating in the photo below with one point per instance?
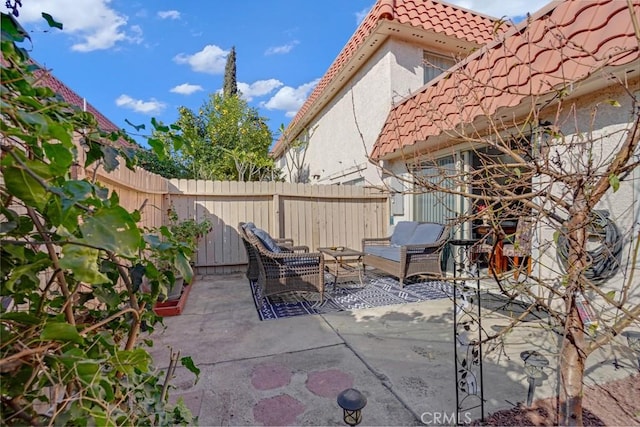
(313, 215)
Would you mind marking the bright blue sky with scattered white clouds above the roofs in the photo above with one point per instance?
(136, 60)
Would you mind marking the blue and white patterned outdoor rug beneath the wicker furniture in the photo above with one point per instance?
(377, 292)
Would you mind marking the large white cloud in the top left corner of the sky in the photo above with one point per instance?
(93, 23)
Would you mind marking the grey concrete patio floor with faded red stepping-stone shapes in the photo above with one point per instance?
(290, 371)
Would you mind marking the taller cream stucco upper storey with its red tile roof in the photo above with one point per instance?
(382, 63)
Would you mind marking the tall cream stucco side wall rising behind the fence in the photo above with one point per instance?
(343, 134)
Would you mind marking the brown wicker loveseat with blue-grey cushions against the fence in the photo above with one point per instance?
(413, 248)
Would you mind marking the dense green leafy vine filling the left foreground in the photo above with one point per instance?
(72, 260)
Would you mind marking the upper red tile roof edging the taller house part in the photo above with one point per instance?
(423, 14)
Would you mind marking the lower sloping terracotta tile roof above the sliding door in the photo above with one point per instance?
(565, 41)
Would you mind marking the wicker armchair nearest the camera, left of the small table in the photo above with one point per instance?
(282, 270)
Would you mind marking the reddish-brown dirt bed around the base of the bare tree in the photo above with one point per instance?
(616, 403)
